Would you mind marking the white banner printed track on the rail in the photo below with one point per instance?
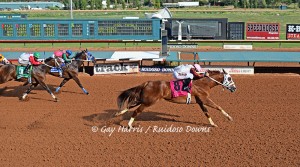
(116, 68)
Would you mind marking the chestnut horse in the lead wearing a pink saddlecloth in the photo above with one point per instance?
(150, 92)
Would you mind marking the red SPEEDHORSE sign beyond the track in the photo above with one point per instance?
(262, 31)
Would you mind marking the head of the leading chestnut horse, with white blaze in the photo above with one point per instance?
(224, 79)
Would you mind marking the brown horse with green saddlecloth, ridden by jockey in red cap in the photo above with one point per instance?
(8, 72)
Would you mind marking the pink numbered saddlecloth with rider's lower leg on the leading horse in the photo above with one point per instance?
(181, 88)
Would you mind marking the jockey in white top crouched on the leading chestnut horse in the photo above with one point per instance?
(186, 71)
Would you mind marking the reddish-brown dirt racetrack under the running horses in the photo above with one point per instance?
(41, 132)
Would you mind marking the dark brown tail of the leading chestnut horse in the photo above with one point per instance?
(132, 96)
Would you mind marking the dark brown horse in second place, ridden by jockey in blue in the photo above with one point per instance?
(70, 71)
